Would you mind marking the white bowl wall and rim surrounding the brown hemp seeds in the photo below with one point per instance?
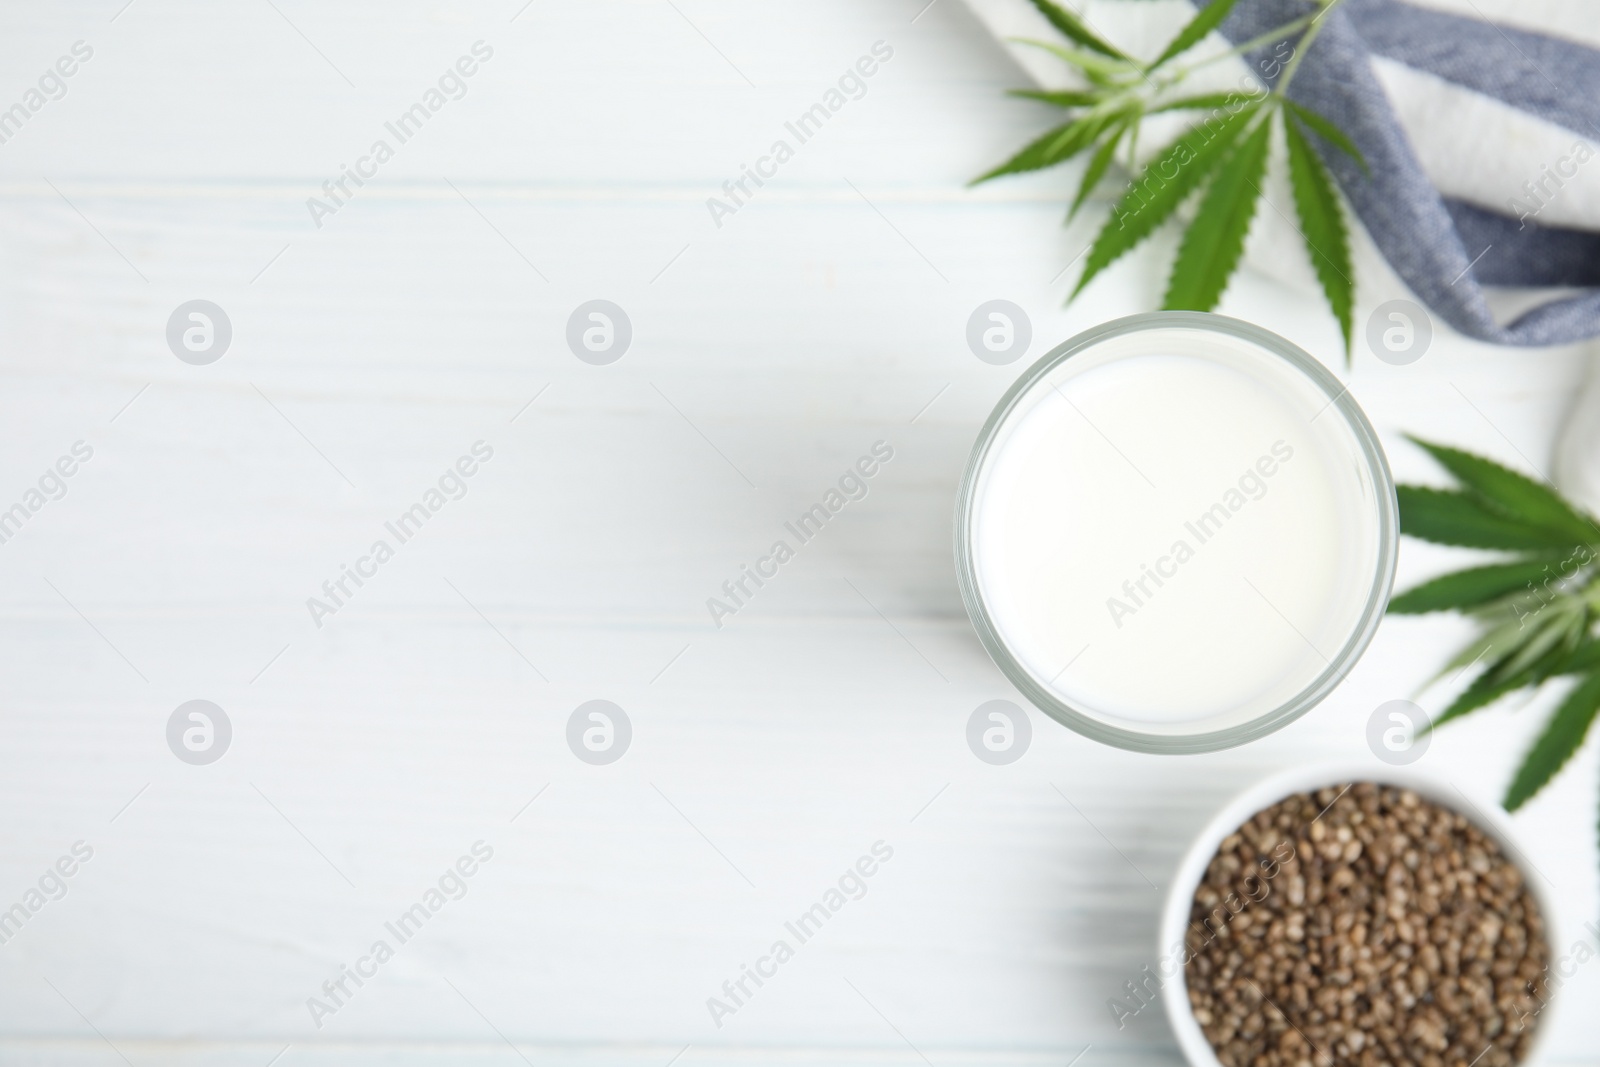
(1175, 916)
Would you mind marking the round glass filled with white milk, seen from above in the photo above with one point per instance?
(1177, 533)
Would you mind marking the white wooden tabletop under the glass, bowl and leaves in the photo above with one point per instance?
(769, 354)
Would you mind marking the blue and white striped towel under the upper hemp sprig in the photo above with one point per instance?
(1482, 138)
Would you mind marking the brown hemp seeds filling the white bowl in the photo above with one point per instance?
(1364, 925)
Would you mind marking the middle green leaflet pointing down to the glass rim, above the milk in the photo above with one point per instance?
(1215, 241)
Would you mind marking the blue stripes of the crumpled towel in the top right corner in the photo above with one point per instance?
(1434, 244)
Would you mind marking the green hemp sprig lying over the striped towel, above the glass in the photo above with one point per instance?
(1222, 159)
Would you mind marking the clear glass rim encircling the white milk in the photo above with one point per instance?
(1338, 668)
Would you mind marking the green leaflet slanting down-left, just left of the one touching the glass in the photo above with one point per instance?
(1164, 185)
